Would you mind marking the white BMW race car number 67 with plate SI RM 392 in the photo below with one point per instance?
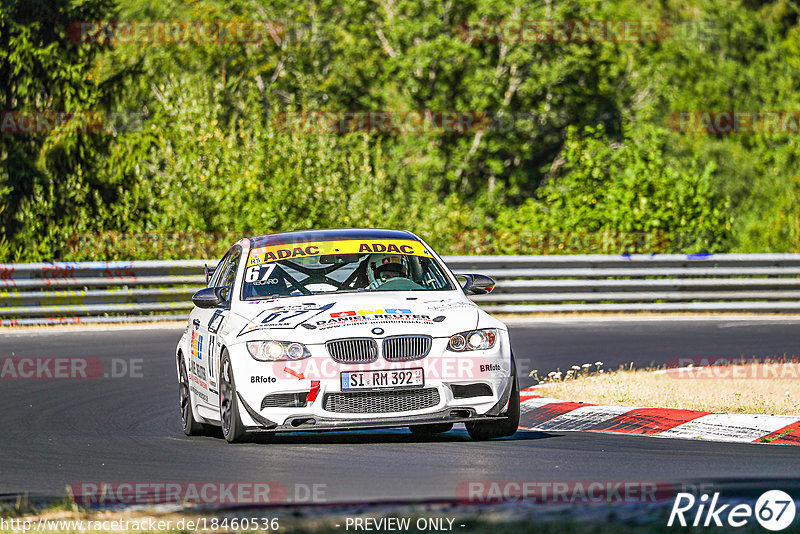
(339, 330)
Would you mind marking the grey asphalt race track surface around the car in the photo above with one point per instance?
(62, 432)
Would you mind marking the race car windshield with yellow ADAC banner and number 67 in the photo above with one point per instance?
(341, 266)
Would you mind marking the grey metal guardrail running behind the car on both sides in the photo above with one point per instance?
(82, 292)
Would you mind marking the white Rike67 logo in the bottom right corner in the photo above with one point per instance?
(774, 510)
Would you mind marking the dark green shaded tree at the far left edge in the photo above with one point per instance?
(48, 182)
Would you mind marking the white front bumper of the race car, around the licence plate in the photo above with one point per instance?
(439, 374)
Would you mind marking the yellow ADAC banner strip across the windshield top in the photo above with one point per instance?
(320, 248)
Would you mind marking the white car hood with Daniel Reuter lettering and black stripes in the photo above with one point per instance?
(318, 318)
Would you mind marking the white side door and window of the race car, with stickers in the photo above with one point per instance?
(205, 326)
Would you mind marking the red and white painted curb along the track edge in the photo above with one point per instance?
(546, 414)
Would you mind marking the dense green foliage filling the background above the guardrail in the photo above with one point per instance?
(574, 148)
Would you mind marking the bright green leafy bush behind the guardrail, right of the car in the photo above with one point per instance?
(630, 187)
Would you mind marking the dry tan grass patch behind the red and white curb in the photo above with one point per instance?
(754, 388)
